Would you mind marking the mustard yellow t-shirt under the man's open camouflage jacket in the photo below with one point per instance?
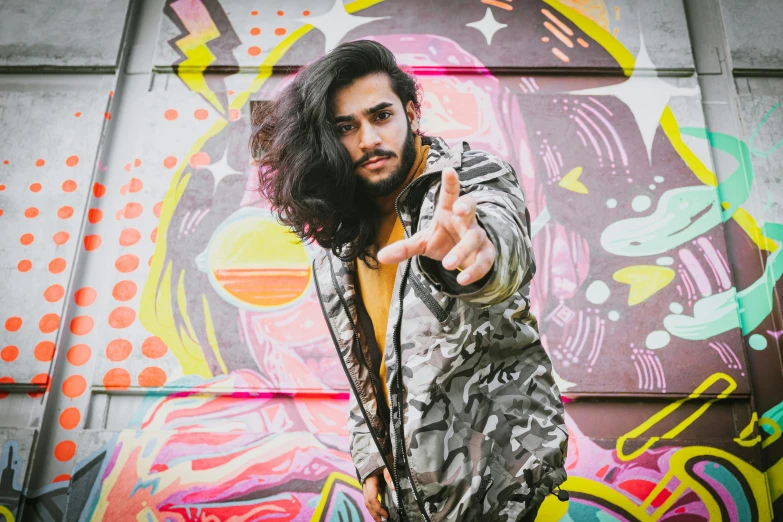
(376, 286)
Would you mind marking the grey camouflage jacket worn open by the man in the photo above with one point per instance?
(476, 424)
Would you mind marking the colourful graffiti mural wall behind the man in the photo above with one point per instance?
(163, 353)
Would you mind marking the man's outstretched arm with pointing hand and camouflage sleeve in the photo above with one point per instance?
(478, 240)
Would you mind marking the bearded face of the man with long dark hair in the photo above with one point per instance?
(376, 130)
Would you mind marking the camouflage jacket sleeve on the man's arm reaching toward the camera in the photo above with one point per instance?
(502, 213)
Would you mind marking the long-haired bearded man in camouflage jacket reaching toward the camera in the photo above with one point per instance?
(423, 279)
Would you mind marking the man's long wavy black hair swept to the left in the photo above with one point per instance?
(305, 172)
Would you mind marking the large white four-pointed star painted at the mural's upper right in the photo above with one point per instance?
(646, 95)
